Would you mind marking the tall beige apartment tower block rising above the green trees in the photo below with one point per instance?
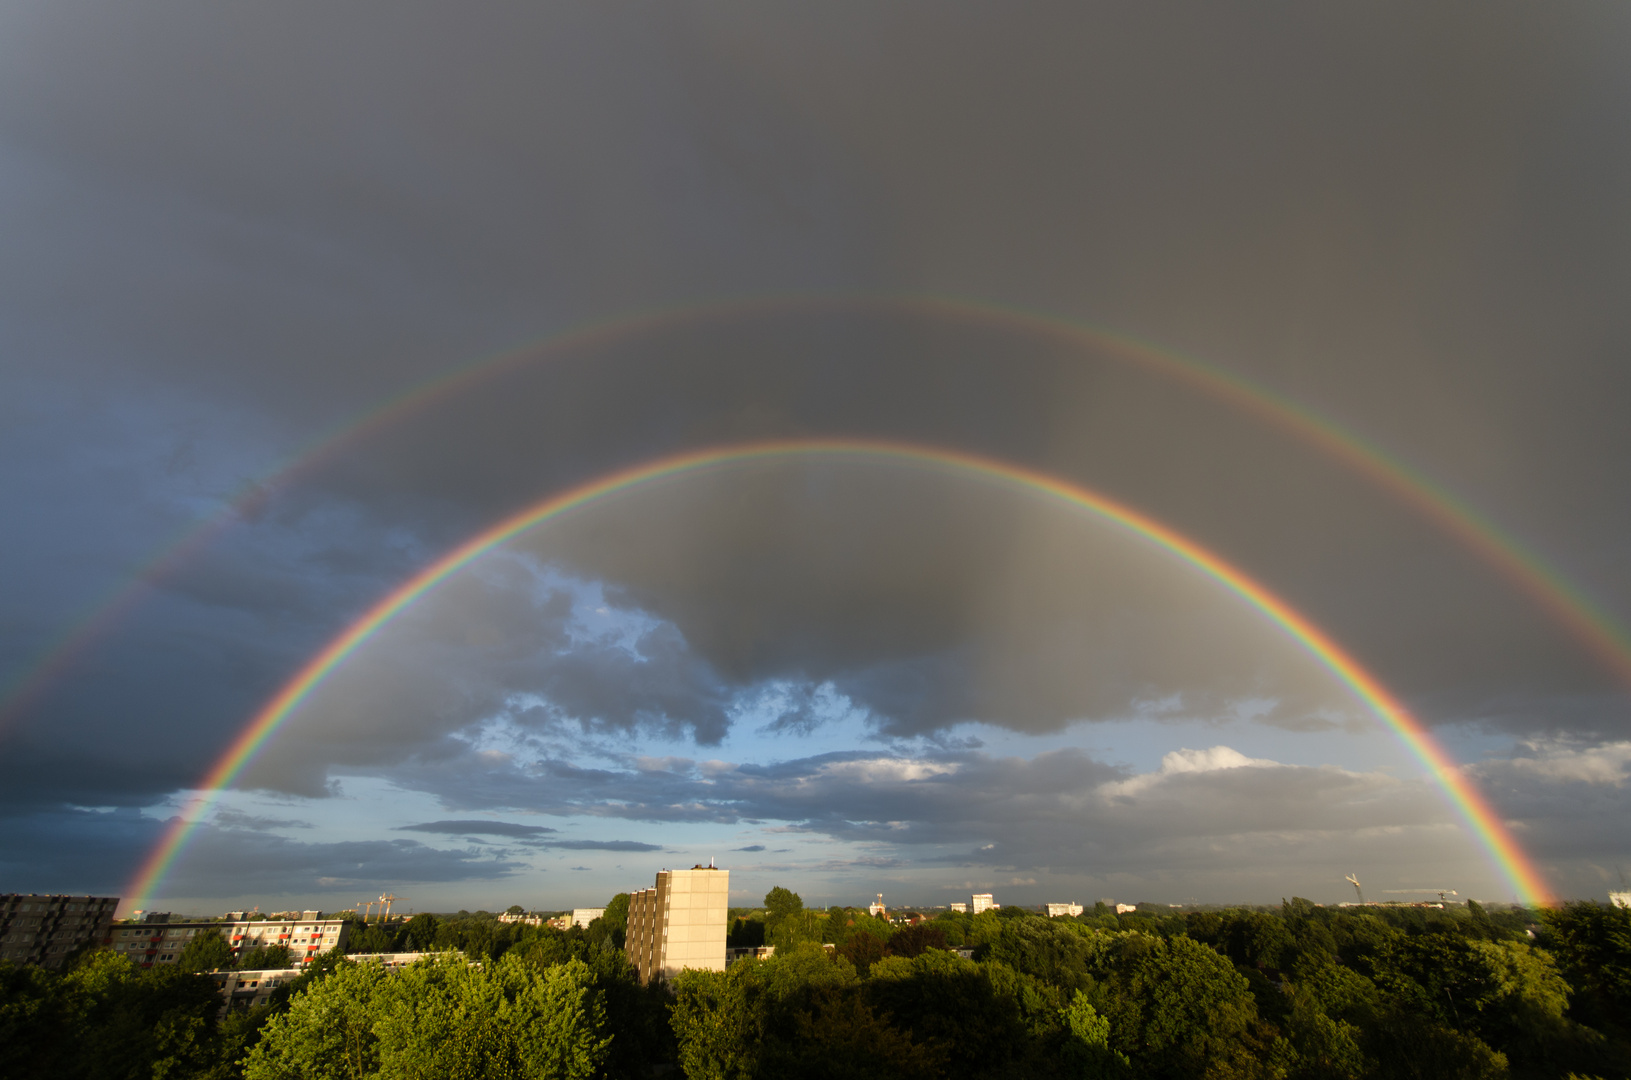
(681, 923)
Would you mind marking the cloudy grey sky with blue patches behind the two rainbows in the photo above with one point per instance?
(229, 231)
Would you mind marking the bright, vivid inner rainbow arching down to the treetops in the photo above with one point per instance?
(1487, 825)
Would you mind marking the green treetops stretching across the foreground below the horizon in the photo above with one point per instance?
(1297, 993)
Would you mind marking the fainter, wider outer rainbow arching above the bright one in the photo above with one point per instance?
(1549, 588)
